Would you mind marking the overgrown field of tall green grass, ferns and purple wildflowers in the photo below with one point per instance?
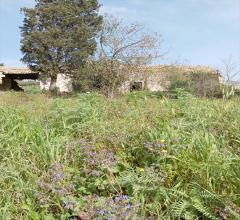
(136, 157)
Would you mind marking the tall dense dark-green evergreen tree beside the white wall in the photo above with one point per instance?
(59, 35)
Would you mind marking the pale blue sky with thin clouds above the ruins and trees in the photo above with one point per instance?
(194, 31)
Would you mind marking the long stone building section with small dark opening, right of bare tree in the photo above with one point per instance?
(159, 78)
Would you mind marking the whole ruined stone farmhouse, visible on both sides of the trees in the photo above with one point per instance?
(152, 78)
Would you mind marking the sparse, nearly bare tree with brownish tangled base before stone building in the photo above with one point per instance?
(123, 50)
